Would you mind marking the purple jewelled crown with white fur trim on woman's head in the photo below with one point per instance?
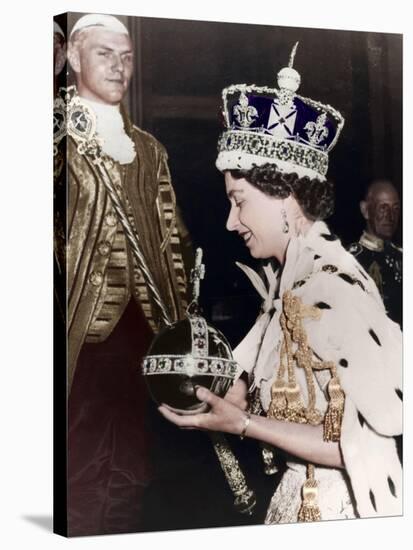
(270, 125)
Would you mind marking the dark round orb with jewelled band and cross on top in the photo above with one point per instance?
(187, 353)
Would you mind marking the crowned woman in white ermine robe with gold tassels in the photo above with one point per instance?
(319, 374)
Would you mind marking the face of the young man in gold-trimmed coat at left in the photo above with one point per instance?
(103, 63)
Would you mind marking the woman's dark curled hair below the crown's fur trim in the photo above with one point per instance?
(315, 197)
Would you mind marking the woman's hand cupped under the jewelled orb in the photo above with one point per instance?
(222, 417)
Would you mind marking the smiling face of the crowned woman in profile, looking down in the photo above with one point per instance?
(257, 218)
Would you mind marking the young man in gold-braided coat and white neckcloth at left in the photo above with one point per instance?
(111, 313)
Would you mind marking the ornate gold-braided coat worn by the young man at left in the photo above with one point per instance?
(91, 229)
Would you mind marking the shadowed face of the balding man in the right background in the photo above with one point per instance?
(383, 211)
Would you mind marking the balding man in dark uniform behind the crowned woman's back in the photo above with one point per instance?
(376, 252)
